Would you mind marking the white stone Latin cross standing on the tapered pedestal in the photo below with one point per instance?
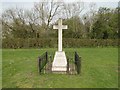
(60, 27)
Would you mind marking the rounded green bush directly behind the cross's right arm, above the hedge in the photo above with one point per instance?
(75, 28)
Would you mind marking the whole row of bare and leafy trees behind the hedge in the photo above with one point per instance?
(38, 21)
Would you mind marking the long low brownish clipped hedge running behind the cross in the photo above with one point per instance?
(52, 43)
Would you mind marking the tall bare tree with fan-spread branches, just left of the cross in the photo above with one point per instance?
(46, 11)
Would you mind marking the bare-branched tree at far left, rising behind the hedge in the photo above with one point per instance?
(13, 20)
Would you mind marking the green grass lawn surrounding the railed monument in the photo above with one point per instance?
(99, 69)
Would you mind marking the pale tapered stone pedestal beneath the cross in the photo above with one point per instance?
(60, 62)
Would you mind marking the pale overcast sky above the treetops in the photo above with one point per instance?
(28, 4)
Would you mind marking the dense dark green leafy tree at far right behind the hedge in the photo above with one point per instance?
(106, 25)
